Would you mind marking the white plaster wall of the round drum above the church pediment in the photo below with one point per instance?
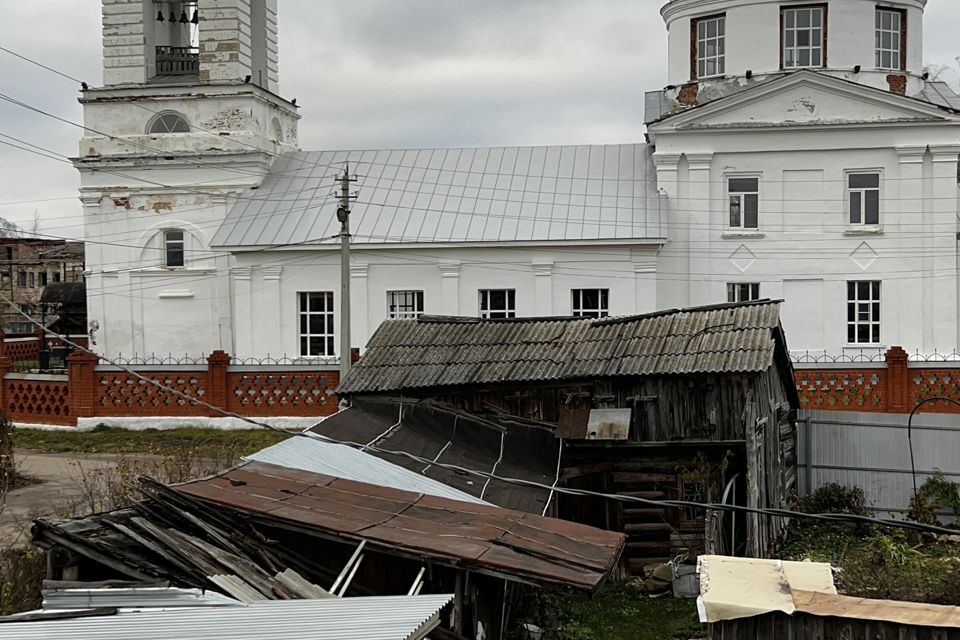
(753, 38)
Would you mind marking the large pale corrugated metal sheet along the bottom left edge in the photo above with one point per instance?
(375, 618)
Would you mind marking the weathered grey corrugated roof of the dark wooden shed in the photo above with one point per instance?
(439, 352)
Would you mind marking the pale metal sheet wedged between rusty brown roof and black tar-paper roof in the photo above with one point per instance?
(341, 461)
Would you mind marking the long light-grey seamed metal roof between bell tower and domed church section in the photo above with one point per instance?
(467, 195)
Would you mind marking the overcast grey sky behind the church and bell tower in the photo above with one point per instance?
(383, 74)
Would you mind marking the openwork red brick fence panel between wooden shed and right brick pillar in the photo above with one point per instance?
(842, 390)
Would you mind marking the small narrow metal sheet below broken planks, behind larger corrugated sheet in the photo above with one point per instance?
(130, 598)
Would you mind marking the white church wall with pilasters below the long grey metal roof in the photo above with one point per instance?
(264, 285)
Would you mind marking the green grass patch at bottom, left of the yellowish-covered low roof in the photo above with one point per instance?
(620, 613)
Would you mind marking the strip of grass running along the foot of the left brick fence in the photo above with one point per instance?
(197, 442)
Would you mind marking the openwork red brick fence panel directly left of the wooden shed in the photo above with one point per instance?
(278, 394)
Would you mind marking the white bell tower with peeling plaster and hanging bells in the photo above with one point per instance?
(188, 120)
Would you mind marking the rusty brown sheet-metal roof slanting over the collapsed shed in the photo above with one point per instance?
(507, 543)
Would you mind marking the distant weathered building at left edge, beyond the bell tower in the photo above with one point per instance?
(27, 266)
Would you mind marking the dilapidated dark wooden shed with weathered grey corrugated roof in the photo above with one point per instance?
(696, 404)
